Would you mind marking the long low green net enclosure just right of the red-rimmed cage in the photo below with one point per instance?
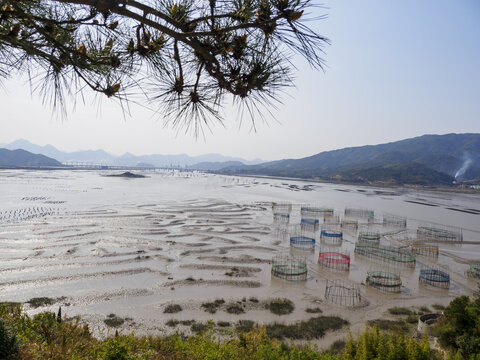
(388, 254)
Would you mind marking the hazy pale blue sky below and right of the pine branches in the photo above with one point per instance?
(395, 69)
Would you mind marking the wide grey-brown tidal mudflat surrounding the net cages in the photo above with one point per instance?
(173, 250)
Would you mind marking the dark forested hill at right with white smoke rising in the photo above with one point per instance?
(427, 159)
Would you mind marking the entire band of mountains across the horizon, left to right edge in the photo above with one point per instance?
(425, 160)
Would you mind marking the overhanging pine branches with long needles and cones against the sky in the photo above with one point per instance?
(183, 56)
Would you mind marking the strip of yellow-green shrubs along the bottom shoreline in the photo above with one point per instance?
(43, 337)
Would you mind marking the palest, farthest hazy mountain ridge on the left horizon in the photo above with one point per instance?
(127, 159)
